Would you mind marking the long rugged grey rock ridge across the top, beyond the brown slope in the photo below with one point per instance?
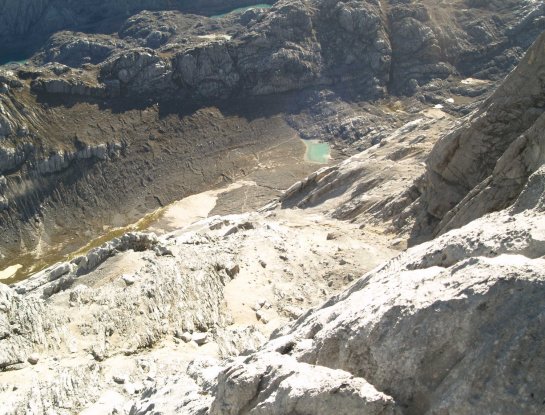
(382, 46)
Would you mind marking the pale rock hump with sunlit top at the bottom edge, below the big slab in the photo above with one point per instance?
(275, 384)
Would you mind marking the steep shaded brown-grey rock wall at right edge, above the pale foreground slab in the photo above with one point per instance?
(483, 165)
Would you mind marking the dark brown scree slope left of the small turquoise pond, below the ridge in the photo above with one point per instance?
(152, 155)
